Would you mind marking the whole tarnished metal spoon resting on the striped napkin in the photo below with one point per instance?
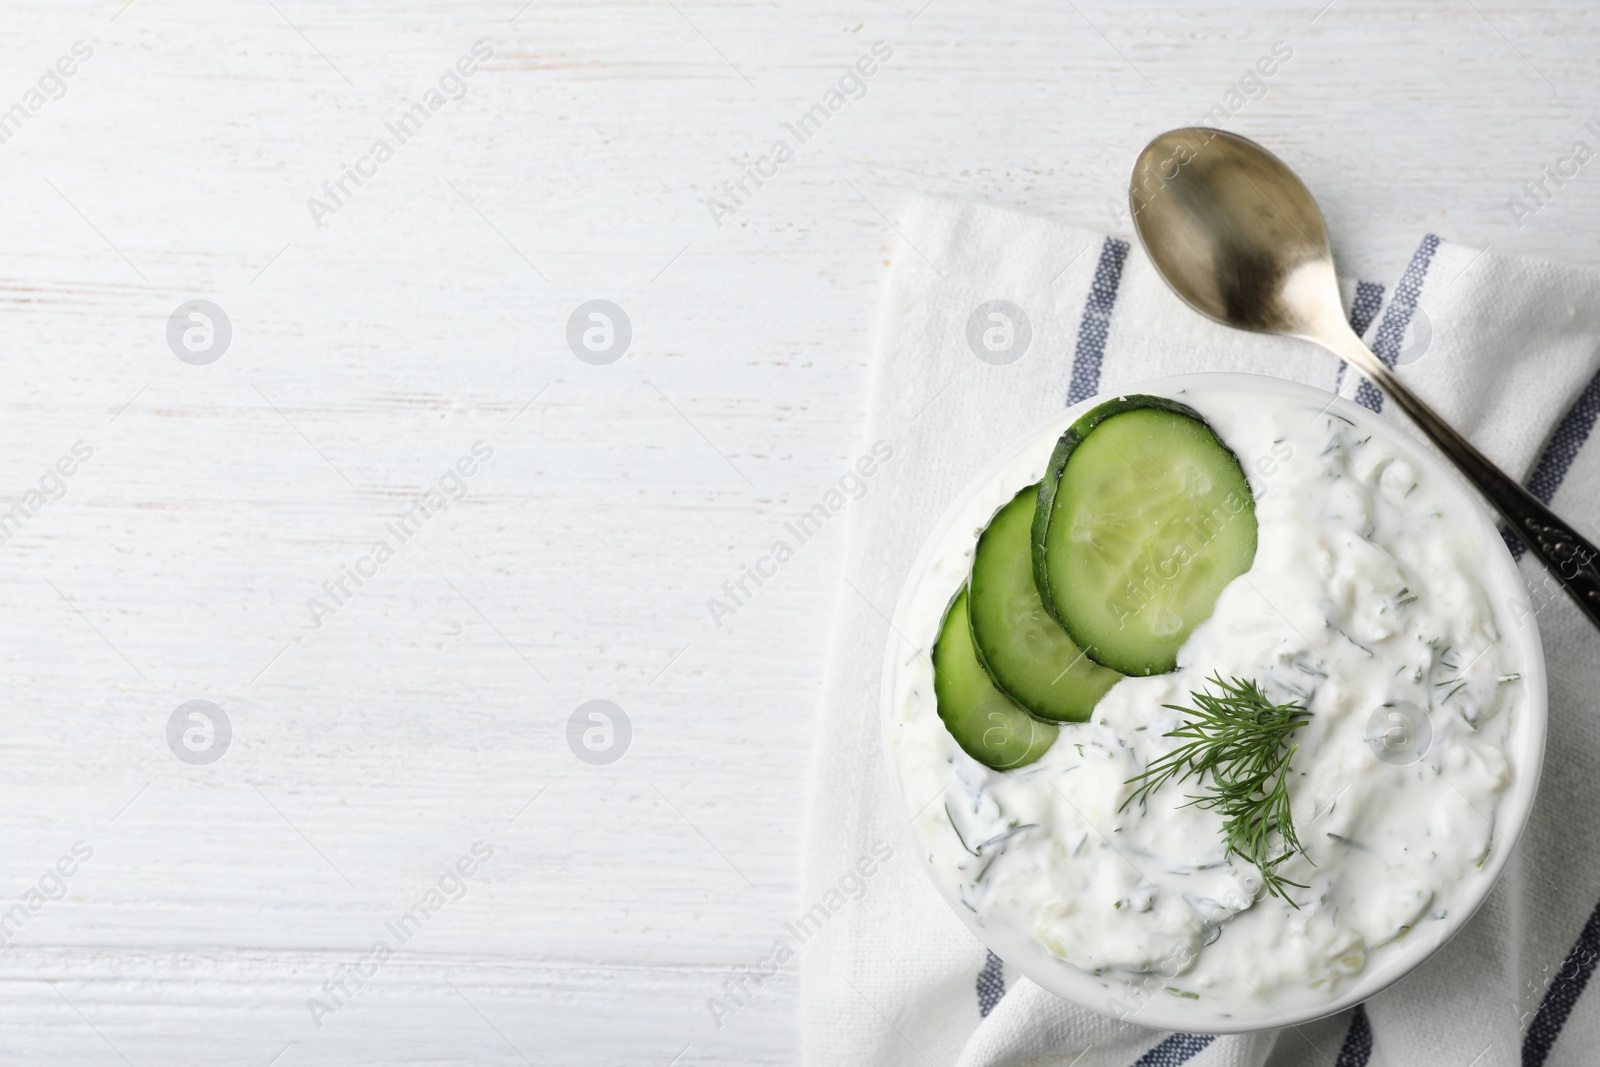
(1241, 239)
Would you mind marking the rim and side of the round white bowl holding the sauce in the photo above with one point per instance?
(1526, 743)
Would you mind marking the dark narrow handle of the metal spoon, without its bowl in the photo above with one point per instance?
(1574, 561)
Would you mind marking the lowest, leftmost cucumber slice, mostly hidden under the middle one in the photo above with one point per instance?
(990, 729)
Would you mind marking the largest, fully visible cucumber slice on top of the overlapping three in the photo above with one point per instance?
(1143, 518)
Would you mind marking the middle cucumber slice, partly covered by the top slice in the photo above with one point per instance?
(1025, 650)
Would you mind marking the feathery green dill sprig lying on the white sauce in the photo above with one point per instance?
(1239, 741)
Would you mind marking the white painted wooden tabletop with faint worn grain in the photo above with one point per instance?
(377, 738)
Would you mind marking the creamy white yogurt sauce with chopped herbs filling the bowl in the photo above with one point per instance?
(1366, 591)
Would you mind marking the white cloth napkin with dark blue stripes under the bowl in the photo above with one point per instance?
(1505, 350)
